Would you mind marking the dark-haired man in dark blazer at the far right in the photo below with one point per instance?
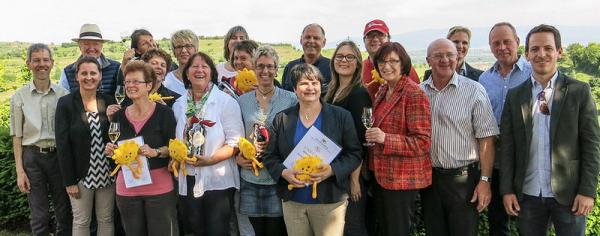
(550, 144)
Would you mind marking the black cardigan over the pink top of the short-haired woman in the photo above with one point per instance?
(157, 131)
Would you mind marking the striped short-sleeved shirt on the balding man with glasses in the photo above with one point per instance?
(461, 113)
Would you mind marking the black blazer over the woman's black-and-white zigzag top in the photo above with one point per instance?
(73, 138)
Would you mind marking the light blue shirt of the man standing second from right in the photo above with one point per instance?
(497, 85)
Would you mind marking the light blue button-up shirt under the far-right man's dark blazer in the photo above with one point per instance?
(539, 168)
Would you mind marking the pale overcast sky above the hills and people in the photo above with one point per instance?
(276, 21)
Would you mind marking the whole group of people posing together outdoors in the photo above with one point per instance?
(520, 138)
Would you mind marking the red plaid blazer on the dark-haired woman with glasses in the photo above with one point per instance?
(403, 161)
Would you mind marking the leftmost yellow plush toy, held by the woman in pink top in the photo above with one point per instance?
(126, 154)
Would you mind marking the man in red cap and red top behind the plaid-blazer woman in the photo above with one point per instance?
(376, 33)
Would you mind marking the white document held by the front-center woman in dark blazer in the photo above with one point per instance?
(313, 143)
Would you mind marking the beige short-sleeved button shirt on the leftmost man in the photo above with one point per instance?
(32, 114)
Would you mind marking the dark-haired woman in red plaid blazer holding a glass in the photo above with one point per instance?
(401, 132)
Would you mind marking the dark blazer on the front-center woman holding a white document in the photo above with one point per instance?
(337, 125)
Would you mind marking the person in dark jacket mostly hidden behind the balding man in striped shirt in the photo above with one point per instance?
(461, 37)
